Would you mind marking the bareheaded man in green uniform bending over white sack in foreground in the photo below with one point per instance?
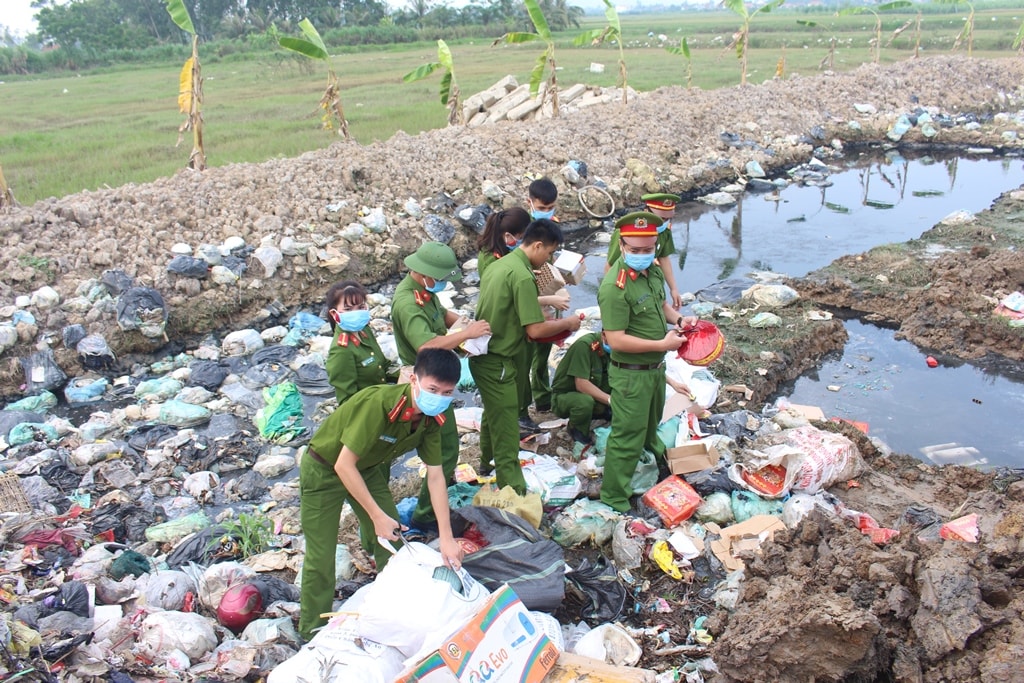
(345, 463)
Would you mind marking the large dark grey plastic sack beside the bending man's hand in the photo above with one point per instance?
(517, 554)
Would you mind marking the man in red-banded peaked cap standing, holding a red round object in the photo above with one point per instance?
(634, 313)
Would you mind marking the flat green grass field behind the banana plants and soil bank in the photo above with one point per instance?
(106, 129)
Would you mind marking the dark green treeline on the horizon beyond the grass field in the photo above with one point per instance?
(89, 33)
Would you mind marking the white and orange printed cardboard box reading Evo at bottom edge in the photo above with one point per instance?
(501, 645)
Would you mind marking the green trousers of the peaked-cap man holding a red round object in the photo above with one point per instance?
(637, 403)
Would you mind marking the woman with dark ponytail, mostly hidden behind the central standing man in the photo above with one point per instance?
(503, 234)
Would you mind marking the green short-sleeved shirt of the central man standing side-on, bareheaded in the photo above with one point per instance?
(508, 303)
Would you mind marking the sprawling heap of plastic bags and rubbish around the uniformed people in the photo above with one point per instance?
(151, 526)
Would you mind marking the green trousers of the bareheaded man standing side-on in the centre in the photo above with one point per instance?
(496, 378)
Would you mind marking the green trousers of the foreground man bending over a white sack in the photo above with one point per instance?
(321, 498)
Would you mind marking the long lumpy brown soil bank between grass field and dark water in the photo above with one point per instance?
(319, 210)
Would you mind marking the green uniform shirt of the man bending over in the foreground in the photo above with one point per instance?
(376, 425)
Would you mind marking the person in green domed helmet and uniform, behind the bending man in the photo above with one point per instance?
(421, 322)
